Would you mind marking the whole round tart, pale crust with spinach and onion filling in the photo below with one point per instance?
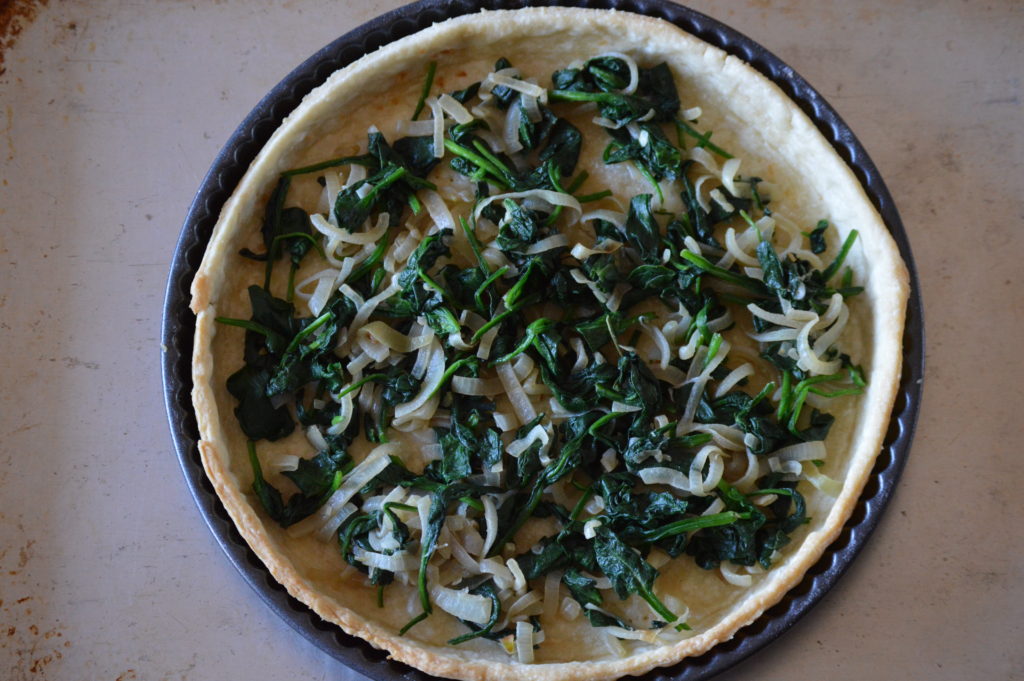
(505, 364)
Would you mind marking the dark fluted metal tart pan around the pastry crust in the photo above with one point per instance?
(235, 158)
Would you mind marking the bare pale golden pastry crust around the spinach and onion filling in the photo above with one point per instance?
(747, 111)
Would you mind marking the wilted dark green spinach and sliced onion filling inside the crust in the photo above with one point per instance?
(572, 326)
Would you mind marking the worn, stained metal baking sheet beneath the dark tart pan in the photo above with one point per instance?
(110, 114)
